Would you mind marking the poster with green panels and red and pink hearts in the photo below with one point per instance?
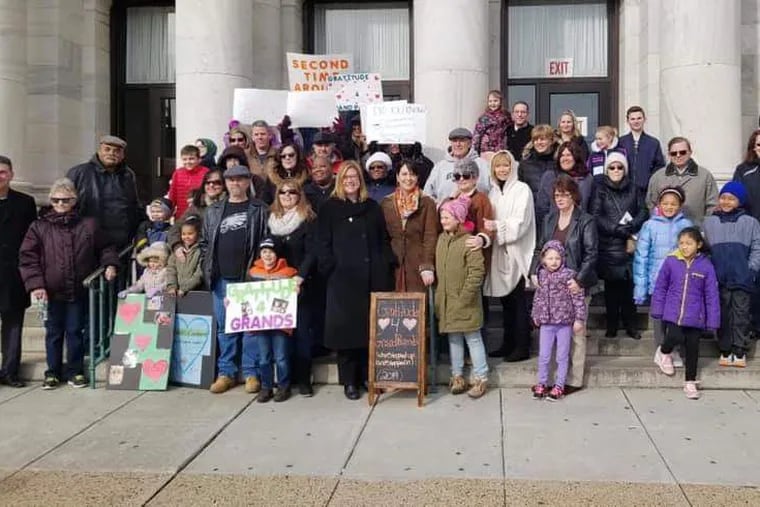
(141, 346)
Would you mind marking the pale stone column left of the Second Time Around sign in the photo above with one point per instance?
(210, 64)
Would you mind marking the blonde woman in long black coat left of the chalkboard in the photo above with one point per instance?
(356, 258)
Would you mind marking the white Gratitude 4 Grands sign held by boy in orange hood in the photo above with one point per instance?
(258, 306)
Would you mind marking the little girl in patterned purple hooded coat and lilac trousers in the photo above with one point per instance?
(558, 312)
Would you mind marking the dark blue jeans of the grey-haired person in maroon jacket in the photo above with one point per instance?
(65, 318)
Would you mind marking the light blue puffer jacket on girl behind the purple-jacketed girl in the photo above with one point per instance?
(657, 238)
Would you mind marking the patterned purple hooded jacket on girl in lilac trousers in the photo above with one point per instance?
(553, 303)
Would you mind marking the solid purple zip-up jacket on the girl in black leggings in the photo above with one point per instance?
(687, 294)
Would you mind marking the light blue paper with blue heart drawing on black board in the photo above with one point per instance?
(192, 341)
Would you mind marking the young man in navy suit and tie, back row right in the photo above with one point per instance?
(643, 151)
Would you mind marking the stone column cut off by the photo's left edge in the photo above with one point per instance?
(13, 83)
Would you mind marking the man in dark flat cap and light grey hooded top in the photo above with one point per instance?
(441, 184)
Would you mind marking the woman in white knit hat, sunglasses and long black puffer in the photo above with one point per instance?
(619, 210)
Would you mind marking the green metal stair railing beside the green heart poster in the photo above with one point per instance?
(102, 308)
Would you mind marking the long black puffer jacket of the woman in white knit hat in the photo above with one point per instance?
(611, 202)
